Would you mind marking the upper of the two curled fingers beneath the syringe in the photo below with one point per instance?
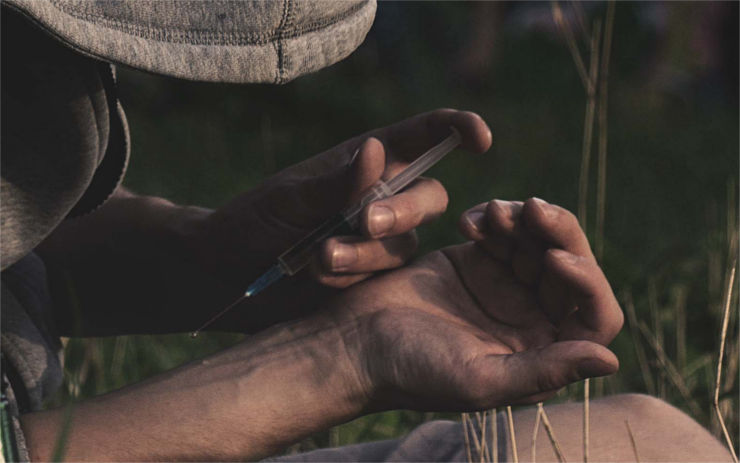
(425, 200)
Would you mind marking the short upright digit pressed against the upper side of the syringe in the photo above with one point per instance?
(337, 187)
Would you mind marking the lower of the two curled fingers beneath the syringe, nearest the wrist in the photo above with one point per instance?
(354, 254)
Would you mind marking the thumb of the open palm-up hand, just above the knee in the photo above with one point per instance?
(537, 371)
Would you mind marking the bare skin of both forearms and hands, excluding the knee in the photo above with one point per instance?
(510, 317)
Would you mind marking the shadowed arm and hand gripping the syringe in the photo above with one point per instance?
(176, 266)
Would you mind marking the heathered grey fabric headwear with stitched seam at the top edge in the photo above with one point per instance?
(270, 41)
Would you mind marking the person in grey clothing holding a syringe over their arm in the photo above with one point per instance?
(511, 317)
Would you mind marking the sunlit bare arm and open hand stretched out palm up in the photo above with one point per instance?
(456, 330)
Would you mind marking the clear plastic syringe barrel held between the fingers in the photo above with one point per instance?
(297, 257)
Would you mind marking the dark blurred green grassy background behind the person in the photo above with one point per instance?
(671, 186)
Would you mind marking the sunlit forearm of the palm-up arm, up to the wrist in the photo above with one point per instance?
(245, 403)
